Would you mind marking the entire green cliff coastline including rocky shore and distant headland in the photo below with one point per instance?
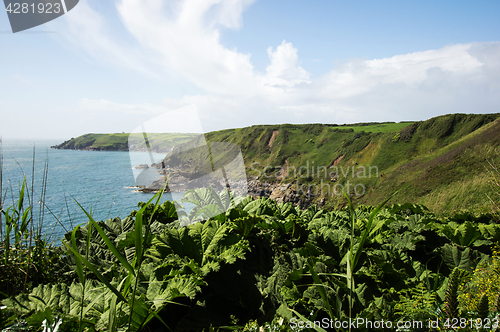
(441, 162)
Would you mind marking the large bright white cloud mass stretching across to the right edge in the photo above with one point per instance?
(183, 37)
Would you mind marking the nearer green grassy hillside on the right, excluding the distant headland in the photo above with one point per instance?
(441, 162)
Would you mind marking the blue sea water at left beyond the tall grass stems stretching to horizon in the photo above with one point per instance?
(101, 181)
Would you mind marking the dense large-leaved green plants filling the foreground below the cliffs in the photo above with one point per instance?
(262, 263)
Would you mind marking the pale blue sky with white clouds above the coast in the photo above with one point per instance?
(109, 66)
